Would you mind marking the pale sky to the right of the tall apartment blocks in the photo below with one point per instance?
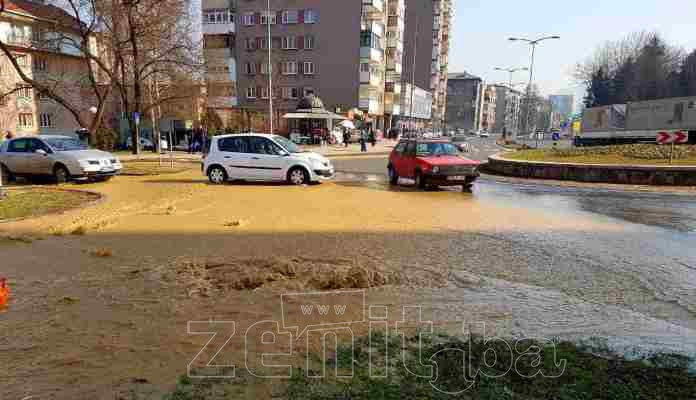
(481, 29)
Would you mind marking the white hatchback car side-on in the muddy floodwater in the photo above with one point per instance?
(261, 157)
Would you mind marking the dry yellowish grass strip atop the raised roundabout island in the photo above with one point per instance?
(637, 154)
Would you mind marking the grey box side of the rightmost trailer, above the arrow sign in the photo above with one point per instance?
(674, 113)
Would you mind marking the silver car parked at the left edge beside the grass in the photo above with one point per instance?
(61, 157)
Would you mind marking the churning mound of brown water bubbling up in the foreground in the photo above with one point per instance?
(205, 277)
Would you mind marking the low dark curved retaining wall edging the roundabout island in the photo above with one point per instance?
(659, 175)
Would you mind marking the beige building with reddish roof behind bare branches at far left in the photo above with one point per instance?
(31, 29)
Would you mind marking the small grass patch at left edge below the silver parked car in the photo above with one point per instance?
(20, 202)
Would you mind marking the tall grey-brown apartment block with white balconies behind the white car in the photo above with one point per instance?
(351, 54)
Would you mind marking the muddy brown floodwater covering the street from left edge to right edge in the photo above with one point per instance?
(526, 259)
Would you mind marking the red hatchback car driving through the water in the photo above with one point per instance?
(431, 162)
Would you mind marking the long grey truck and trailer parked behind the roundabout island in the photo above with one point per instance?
(637, 122)
